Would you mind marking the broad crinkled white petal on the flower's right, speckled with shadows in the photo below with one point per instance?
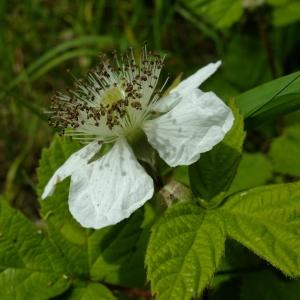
(195, 125)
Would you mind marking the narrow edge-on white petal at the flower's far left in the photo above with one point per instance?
(76, 161)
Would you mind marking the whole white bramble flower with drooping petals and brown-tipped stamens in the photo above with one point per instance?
(116, 102)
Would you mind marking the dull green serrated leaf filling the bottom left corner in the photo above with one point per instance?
(32, 267)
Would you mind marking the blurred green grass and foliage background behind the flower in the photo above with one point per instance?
(45, 44)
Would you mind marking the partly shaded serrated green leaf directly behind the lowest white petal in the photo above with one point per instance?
(114, 254)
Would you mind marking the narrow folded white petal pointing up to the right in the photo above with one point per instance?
(165, 104)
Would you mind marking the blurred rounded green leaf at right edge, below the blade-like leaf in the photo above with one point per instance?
(284, 151)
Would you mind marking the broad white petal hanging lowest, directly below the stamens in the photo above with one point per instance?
(109, 189)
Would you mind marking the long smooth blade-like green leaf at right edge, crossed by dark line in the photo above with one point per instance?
(270, 96)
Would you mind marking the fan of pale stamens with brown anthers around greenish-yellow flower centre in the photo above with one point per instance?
(110, 95)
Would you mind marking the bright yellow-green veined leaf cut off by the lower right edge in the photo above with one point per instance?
(267, 221)
